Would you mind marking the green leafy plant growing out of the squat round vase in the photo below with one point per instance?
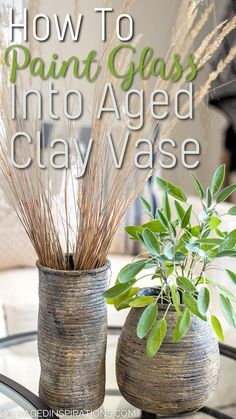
(180, 249)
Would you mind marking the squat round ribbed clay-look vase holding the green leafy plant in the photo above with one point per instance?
(181, 378)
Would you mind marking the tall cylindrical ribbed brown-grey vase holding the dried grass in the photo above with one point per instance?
(72, 335)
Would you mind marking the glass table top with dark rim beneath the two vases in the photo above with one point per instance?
(19, 362)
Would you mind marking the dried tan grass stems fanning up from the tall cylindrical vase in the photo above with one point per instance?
(102, 196)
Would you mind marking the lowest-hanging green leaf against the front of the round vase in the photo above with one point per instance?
(156, 337)
